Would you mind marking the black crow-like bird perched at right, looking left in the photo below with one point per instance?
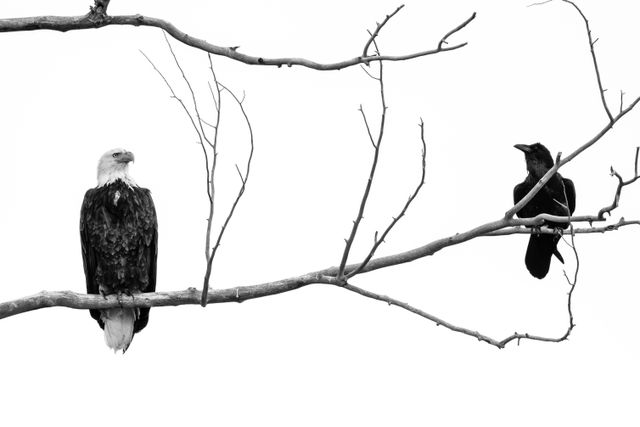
(557, 195)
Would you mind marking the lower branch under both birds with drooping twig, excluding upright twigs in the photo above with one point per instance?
(327, 276)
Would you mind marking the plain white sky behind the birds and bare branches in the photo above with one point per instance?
(321, 355)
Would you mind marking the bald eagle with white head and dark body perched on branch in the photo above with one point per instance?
(119, 234)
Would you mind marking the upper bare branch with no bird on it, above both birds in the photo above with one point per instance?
(97, 18)
